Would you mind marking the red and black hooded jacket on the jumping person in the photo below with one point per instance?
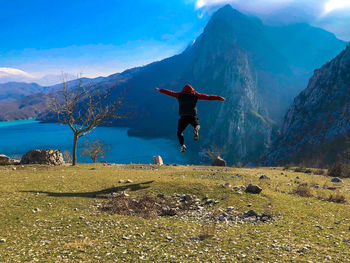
(188, 98)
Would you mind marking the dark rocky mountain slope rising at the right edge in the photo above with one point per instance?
(317, 126)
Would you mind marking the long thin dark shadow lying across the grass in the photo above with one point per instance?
(97, 194)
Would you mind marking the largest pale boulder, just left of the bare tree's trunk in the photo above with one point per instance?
(49, 157)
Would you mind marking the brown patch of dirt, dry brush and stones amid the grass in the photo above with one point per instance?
(180, 206)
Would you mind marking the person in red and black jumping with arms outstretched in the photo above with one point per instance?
(188, 98)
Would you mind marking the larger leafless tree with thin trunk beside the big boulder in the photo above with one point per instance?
(83, 108)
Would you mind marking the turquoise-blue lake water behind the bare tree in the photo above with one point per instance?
(18, 137)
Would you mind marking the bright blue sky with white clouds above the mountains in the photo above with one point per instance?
(107, 36)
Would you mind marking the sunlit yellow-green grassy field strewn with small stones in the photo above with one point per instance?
(69, 227)
